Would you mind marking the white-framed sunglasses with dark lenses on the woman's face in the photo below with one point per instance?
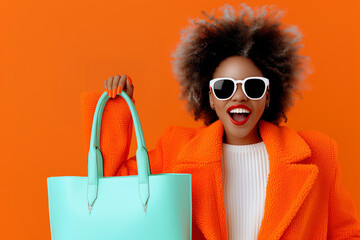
(253, 87)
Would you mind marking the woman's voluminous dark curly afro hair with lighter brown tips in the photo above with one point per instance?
(259, 37)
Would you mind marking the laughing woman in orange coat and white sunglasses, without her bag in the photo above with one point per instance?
(252, 179)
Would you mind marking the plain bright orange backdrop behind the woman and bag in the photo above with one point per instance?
(52, 51)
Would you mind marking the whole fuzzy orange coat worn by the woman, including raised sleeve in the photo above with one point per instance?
(304, 196)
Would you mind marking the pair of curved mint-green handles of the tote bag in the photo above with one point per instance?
(95, 160)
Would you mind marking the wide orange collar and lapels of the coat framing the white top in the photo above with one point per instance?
(289, 180)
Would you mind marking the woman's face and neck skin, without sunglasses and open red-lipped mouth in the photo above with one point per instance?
(238, 68)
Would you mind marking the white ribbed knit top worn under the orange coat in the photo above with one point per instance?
(245, 174)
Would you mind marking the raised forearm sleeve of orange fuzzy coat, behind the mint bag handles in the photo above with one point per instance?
(116, 129)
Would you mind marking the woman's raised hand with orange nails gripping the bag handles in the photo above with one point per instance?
(114, 85)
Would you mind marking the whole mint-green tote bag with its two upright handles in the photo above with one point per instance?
(136, 207)
